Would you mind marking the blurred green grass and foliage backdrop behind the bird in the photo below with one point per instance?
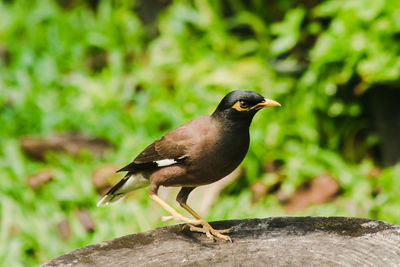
(86, 85)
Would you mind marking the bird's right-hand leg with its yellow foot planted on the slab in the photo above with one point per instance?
(207, 228)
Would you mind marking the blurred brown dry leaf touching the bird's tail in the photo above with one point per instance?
(103, 177)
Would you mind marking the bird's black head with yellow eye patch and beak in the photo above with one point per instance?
(240, 106)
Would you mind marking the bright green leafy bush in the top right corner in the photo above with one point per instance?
(362, 35)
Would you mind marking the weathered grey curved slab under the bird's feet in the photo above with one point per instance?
(281, 241)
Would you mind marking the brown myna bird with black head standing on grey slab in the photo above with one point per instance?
(199, 152)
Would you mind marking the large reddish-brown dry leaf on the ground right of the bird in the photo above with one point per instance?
(319, 190)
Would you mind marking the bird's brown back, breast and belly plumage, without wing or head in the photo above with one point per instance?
(212, 154)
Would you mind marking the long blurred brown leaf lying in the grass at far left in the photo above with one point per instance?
(72, 143)
